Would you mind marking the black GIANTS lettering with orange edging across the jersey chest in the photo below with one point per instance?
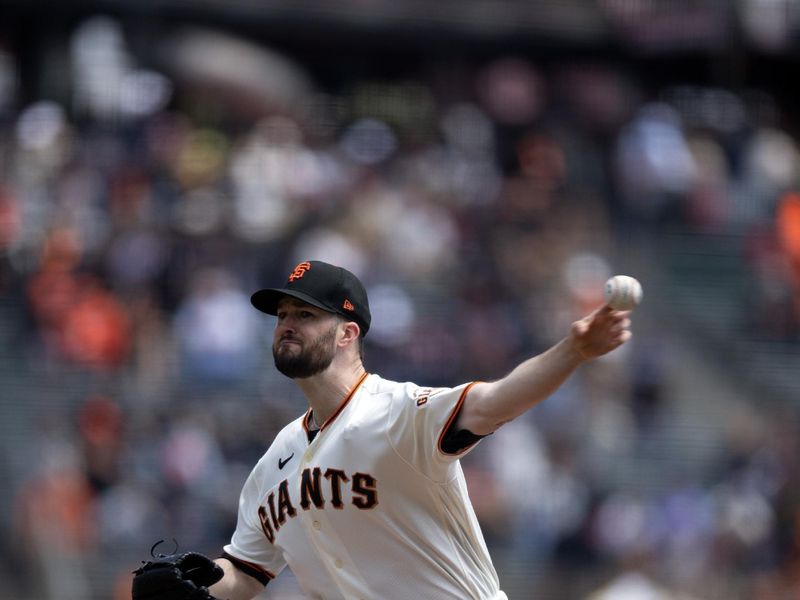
(316, 488)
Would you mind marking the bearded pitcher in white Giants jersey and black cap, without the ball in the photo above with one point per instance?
(363, 496)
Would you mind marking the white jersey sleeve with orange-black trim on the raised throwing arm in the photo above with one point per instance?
(419, 420)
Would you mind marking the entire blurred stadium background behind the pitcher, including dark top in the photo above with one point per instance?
(483, 165)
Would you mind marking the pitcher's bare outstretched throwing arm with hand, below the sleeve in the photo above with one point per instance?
(490, 405)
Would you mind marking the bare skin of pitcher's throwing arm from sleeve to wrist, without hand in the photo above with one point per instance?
(490, 405)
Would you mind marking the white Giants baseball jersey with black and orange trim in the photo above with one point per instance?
(372, 507)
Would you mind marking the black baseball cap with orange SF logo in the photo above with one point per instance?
(323, 285)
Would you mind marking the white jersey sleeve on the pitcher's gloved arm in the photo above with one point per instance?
(249, 542)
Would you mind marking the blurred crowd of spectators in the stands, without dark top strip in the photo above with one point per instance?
(483, 205)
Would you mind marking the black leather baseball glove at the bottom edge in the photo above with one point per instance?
(184, 576)
